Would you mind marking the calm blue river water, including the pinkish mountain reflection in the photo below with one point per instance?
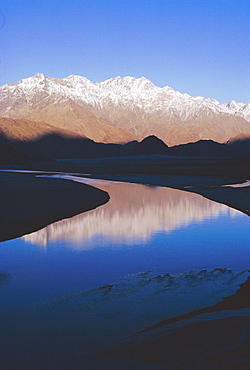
(76, 286)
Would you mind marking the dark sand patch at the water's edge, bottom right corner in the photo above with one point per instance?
(212, 343)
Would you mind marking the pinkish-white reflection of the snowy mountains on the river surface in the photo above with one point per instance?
(133, 214)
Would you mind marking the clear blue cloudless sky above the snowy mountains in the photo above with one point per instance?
(201, 47)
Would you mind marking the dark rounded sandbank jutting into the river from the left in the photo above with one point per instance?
(29, 203)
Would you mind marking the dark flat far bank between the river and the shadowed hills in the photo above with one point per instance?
(204, 176)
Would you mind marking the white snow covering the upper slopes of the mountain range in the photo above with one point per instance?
(120, 91)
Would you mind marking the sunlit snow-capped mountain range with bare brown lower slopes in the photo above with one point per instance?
(123, 108)
